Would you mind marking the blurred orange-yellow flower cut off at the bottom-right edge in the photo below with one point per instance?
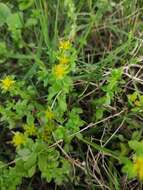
(138, 167)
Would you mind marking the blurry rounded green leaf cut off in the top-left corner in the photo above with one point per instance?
(5, 13)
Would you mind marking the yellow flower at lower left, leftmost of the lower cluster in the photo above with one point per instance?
(18, 139)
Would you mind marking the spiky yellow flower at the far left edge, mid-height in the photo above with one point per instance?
(7, 83)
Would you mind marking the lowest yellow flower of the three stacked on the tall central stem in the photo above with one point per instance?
(60, 71)
